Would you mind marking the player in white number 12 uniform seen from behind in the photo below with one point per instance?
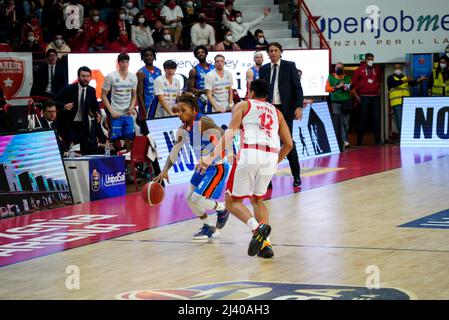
(263, 128)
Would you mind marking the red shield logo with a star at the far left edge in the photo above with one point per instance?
(12, 76)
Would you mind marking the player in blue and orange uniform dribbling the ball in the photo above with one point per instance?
(206, 186)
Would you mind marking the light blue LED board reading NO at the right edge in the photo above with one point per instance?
(425, 122)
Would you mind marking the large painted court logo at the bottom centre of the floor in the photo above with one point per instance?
(249, 290)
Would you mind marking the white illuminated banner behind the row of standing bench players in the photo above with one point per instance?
(314, 65)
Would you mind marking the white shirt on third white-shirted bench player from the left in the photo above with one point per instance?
(220, 87)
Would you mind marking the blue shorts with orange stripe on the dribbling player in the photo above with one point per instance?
(211, 183)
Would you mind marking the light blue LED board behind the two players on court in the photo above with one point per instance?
(314, 136)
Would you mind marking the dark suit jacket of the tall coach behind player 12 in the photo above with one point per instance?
(290, 89)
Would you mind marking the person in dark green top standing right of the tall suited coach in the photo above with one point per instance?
(339, 87)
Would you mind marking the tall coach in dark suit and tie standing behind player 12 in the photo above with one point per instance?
(286, 95)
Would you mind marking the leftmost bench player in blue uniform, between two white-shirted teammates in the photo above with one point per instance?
(145, 88)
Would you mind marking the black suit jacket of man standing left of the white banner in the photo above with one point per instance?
(41, 80)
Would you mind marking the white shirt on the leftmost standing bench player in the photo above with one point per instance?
(121, 90)
